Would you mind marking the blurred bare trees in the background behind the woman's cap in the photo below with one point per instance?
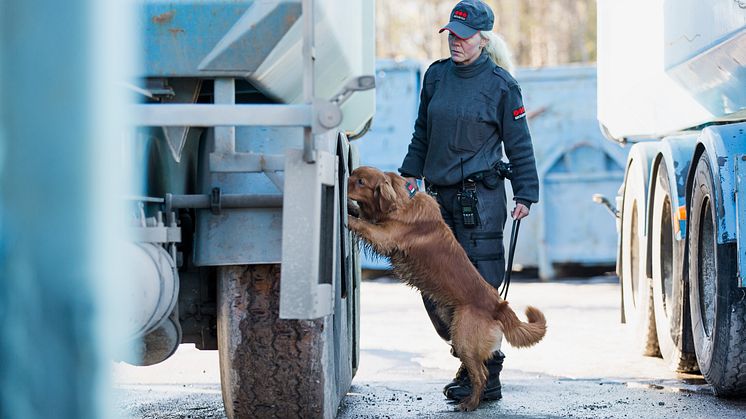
(539, 32)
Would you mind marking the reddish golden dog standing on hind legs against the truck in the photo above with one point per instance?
(426, 255)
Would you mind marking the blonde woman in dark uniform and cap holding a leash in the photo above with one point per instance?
(470, 107)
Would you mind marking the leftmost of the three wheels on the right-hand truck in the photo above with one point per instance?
(636, 286)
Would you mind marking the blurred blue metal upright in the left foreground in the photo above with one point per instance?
(60, 124)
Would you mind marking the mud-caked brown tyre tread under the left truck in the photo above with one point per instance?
(268, 367)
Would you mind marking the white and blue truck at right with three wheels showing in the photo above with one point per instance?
(672, 81)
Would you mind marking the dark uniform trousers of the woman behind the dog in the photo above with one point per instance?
(483, 243)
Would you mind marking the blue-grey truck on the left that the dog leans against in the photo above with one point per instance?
(245, 113)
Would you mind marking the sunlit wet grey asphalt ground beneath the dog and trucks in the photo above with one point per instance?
(584, 367)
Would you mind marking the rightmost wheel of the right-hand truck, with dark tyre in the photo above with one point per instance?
(718, 306)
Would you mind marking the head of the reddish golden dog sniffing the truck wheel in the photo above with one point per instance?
(378, 193)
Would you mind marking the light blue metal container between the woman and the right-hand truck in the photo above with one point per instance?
(574, 162)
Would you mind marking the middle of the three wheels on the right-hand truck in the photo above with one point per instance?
(670, 297)
